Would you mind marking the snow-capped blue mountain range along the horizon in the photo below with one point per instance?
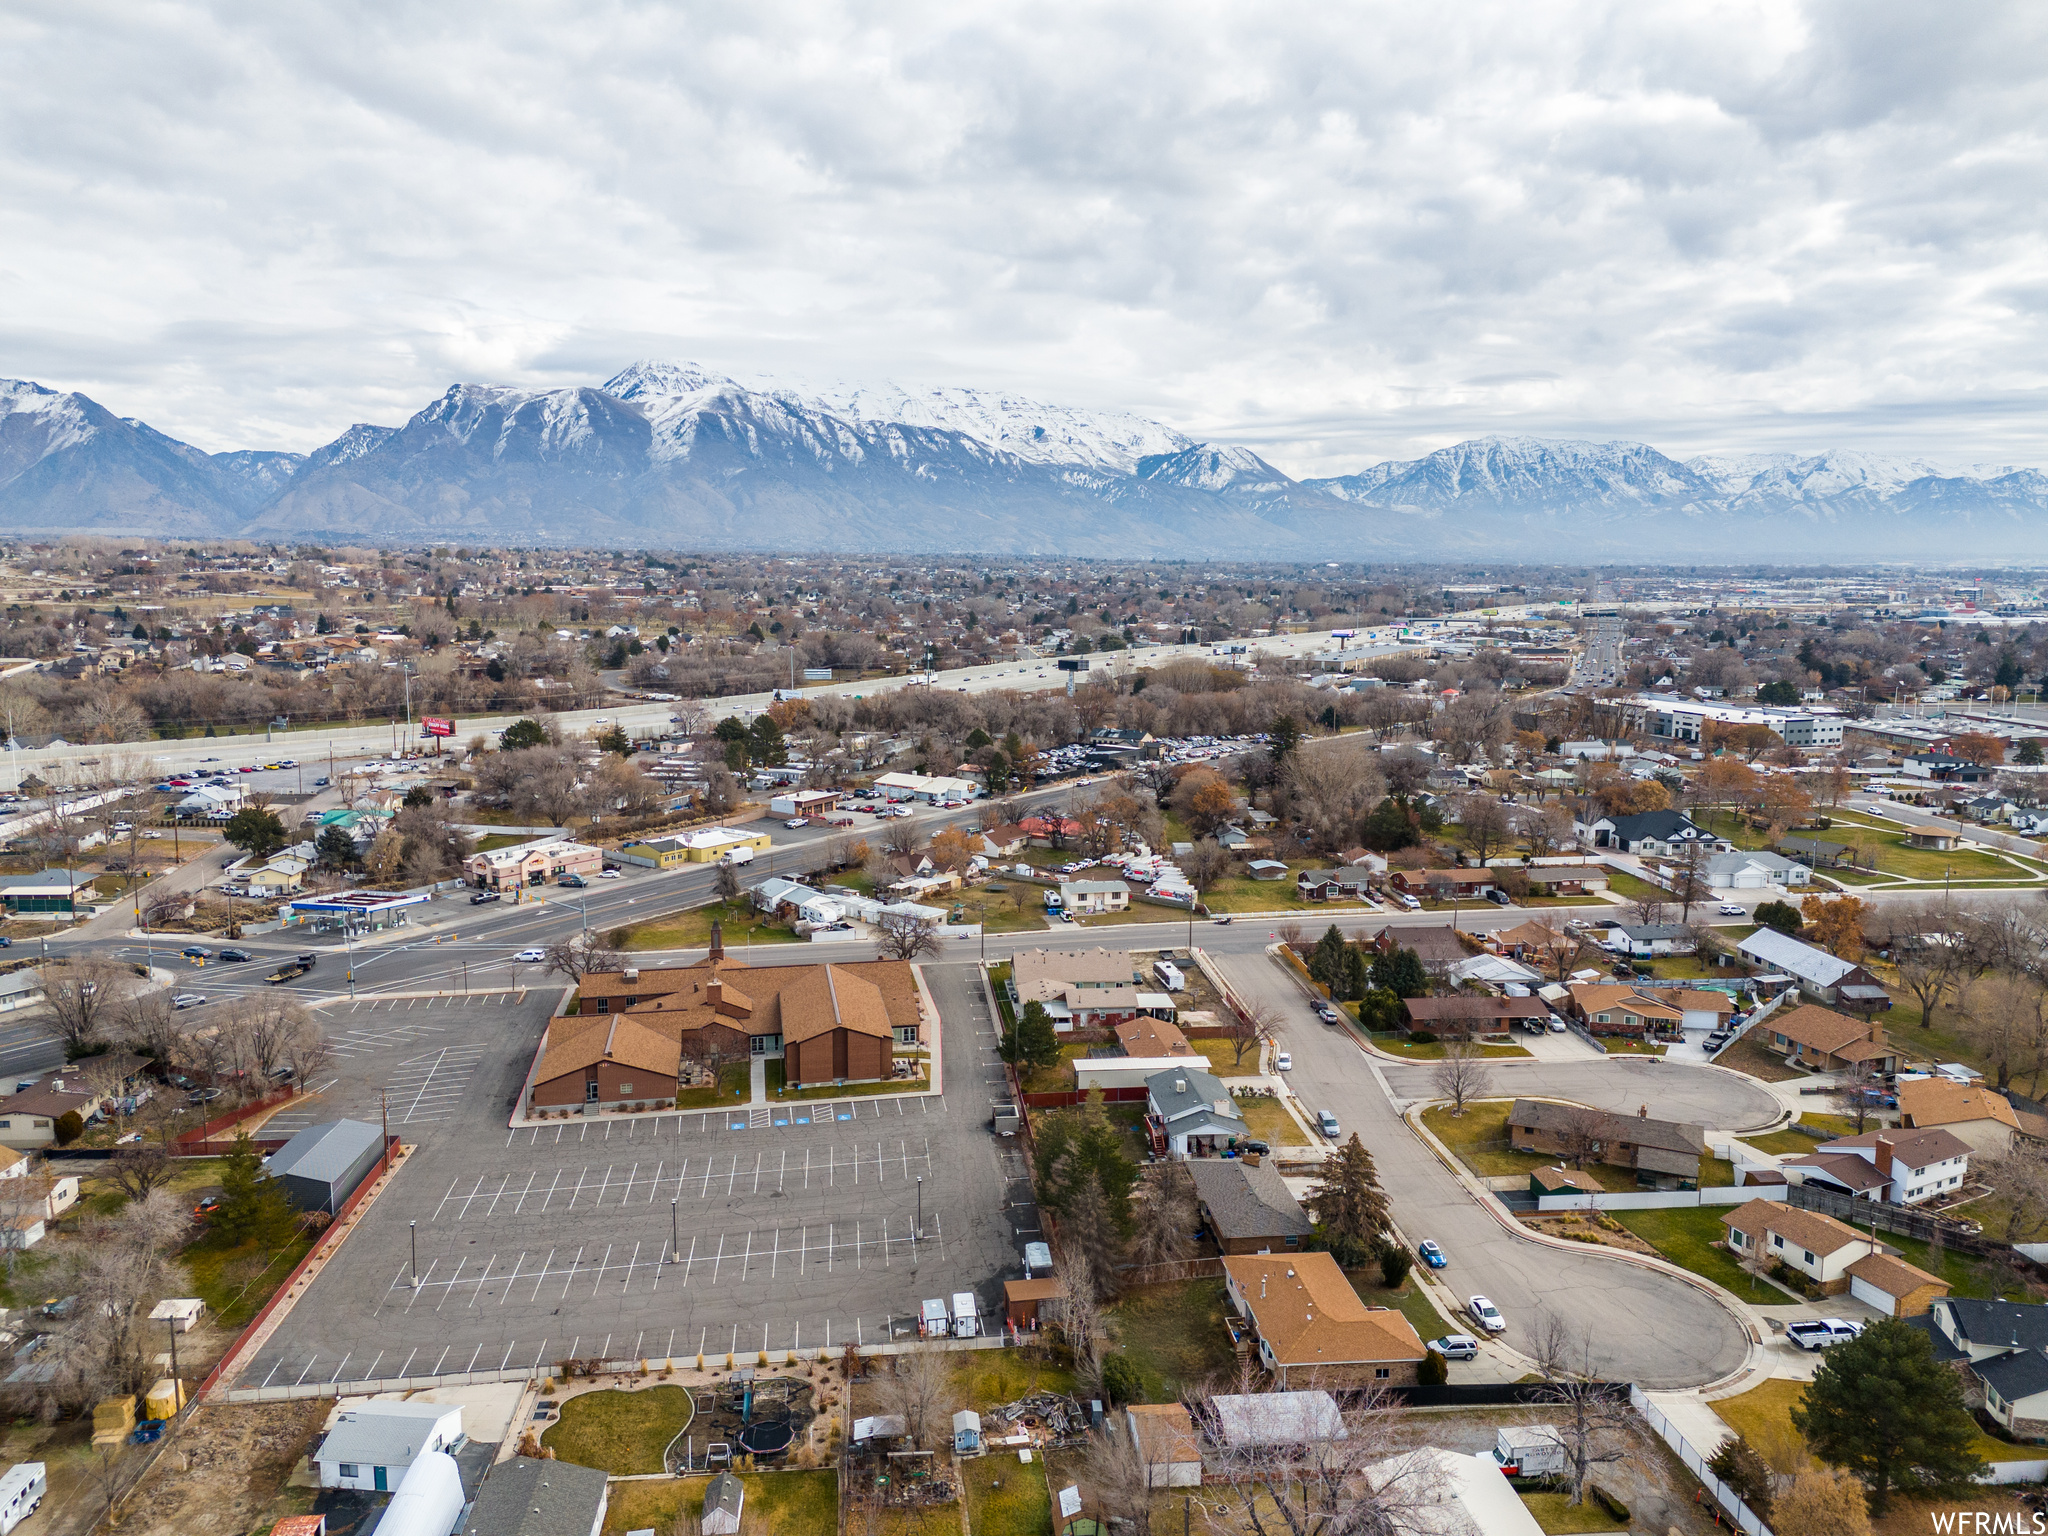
(681, 458)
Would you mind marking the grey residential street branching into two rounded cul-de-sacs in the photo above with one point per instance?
(1639, 1324)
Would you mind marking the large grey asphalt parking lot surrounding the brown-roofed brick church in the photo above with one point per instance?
(798, 1226)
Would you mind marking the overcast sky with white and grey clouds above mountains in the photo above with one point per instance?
(1338, 237)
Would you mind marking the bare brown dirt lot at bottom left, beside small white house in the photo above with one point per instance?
(224, 1471)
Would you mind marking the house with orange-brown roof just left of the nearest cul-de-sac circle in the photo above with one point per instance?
(1314, 1328)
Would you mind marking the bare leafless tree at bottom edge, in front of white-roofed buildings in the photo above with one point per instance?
(1330, 1484)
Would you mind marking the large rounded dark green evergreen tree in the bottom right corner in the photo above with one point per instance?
(1887, 1410)
